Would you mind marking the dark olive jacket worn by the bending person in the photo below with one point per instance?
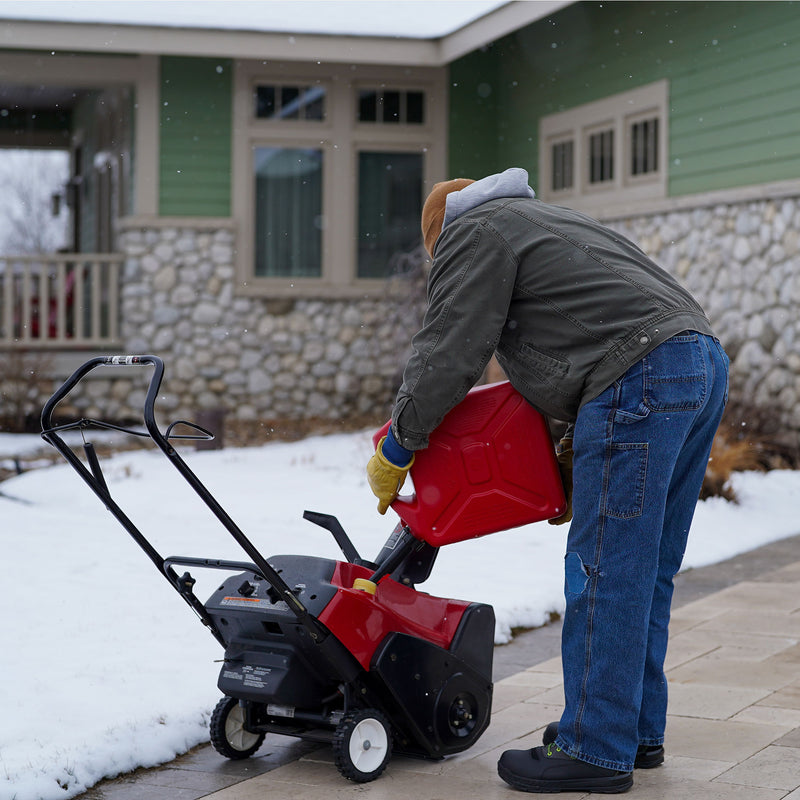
(567, 303)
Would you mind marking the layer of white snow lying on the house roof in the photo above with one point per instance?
(411, 18)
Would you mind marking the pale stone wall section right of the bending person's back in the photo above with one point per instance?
(742, 262)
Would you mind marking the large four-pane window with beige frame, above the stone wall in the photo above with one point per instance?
(330, 169)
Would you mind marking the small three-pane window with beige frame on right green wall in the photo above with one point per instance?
(606, 153)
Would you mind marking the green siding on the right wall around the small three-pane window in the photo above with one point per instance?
(734, 86)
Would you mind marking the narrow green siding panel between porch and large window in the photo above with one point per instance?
(195, 137)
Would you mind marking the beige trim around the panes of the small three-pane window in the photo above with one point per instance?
(617, 112)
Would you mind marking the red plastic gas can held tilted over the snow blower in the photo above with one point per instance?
(489, 466)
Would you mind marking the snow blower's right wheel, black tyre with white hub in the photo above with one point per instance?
(362, 745)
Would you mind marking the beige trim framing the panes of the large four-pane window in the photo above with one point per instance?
(341, 137)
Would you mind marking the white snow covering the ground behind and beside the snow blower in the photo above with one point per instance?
(104, 668)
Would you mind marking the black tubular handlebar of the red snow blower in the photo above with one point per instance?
(94, 478)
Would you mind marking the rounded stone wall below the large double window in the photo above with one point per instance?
(254, 358)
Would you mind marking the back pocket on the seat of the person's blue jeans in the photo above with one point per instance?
(675, 375)
